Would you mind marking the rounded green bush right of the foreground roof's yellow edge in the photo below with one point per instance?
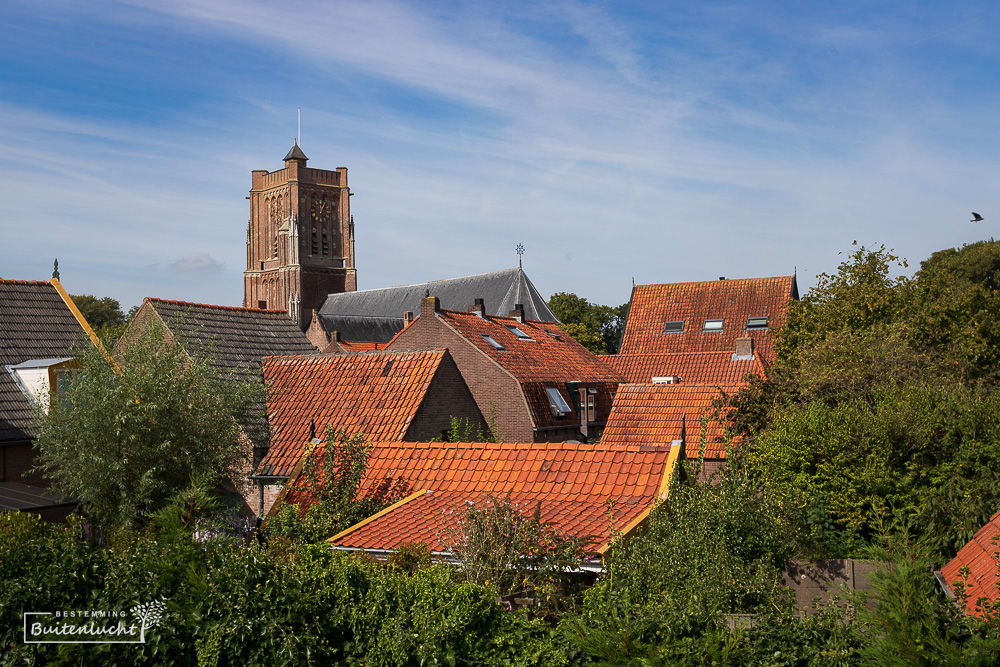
(713, 547)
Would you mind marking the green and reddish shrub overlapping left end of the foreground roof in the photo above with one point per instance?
(332, 480)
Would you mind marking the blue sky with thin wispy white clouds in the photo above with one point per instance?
(660, 141)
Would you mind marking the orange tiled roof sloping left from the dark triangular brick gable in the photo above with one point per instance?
(374, 393)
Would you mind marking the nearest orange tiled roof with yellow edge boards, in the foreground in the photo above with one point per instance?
(574, 483)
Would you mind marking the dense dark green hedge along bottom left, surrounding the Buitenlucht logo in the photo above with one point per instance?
(234, 605)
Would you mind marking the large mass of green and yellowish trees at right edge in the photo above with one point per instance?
(883, 402)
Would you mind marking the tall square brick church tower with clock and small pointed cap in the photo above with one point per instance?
(300, 238)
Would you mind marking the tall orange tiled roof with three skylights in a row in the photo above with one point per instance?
(733, 301)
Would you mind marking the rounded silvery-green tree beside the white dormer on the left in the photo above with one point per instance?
(124, 438)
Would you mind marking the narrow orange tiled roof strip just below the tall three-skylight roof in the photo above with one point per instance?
(695, 367)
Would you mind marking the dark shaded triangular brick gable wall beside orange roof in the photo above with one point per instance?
(448, 396)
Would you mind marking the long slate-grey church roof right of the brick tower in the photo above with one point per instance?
(377, 314)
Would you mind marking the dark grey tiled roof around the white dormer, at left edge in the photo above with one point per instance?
(35, 323)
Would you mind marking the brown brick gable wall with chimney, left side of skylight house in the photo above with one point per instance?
(494, 389)
